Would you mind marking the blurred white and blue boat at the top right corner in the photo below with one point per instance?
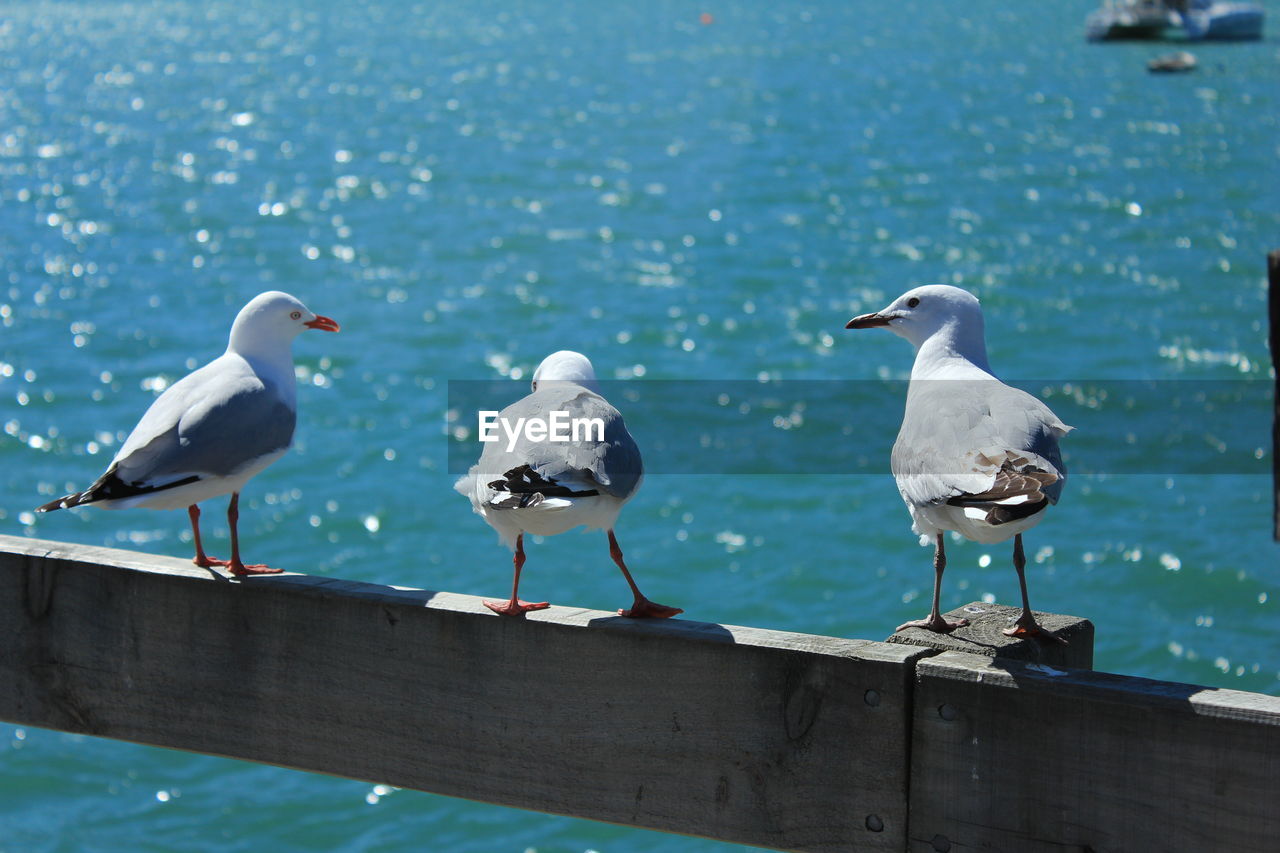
(1197, 20)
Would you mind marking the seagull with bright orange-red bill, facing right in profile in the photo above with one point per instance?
(211, 432)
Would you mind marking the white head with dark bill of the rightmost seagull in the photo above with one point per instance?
(925, 312)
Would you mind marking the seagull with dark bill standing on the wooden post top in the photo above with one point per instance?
(973, 455)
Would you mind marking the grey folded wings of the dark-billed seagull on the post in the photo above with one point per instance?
(977, 443)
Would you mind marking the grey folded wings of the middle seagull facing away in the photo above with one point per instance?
(612, 467)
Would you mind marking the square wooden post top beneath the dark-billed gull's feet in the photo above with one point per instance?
(985, 636)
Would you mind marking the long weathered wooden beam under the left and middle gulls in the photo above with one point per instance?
(783, 741)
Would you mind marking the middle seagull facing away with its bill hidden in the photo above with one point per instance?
(548, 487)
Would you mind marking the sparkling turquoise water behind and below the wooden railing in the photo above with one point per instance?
(468, 188)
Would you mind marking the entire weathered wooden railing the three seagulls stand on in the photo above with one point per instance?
(766, 738)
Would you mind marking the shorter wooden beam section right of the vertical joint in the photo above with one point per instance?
(1008, 756)
